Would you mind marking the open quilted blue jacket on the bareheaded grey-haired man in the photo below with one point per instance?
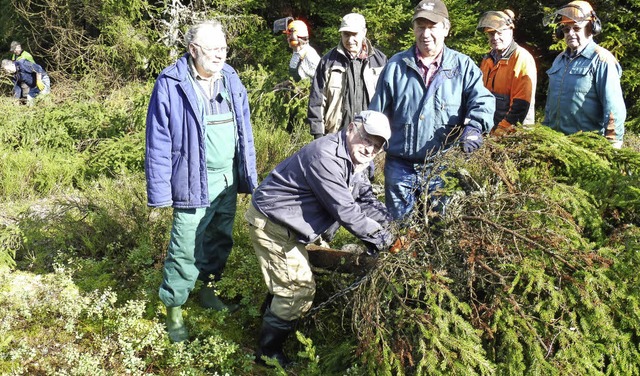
(175, 160)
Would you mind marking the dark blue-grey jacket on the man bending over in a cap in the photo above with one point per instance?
(318, 186)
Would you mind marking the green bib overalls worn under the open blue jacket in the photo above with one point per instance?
(201, 239)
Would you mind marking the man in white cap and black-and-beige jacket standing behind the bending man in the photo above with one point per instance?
(345, 79)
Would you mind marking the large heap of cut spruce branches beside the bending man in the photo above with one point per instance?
(531, 269)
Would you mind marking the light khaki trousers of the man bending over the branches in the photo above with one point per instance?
(285, 266)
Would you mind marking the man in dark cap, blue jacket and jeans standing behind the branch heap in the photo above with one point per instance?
(434, 98)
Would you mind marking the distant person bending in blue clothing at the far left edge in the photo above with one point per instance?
(30, 79)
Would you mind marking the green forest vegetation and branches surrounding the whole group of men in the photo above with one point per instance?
(534, 270)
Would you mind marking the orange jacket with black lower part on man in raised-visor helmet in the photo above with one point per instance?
(512, 80)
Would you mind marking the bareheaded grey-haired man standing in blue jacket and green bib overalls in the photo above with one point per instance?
(199, 156)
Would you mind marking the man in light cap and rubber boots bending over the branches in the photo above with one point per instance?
(299, 200)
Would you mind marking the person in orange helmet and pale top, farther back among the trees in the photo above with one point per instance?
(305, 58)
